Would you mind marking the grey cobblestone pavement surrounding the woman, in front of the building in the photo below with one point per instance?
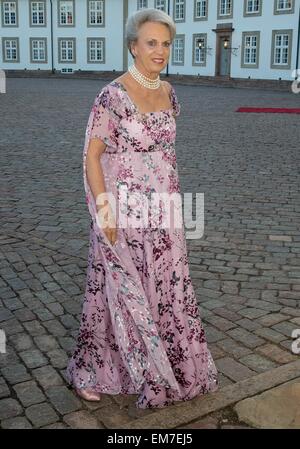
(245, 268)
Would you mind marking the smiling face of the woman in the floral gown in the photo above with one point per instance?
(152, 49)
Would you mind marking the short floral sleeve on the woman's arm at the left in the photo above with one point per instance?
(106, 117)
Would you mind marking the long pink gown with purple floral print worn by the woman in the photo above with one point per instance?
(140, 330)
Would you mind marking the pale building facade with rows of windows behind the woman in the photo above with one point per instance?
(236, 38)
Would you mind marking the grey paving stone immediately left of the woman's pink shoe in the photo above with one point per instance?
(63, 400)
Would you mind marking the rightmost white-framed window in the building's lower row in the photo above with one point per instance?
(281, 49)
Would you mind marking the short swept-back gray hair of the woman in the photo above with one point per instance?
(138, 18)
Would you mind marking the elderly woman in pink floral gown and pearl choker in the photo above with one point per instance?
(140, 330)
